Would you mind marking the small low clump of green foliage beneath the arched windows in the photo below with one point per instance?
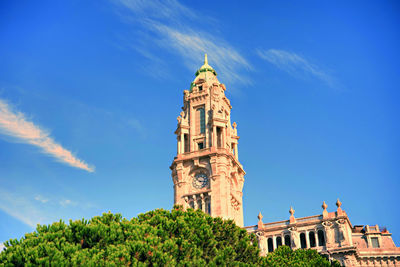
(284, 256)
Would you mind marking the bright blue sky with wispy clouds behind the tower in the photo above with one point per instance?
(90, 92)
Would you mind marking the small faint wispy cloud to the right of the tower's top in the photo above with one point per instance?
(295, 65)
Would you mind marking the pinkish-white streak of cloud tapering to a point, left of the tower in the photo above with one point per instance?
(15, 124)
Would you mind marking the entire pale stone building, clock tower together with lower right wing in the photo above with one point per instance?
(207, 175)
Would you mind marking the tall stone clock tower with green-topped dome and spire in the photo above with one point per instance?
(206, 171)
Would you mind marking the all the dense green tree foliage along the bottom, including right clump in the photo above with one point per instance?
(156, 238)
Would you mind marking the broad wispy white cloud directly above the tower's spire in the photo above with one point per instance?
(174, 27)
